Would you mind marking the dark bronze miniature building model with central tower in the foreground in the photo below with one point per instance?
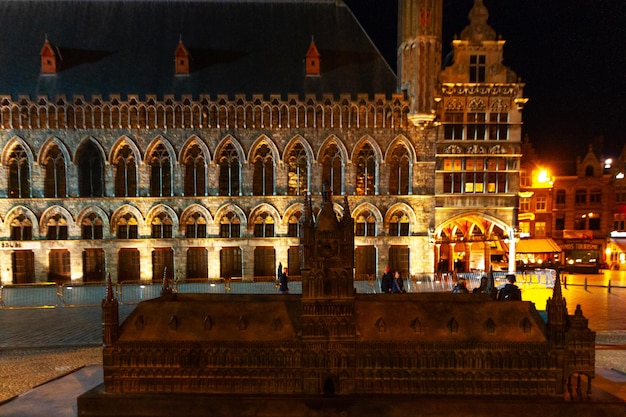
(330, 349)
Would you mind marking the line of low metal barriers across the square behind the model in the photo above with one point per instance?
(51, 295)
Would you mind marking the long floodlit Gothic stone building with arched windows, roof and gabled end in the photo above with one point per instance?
(151, 139)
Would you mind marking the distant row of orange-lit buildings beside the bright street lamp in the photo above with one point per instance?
(576, 218)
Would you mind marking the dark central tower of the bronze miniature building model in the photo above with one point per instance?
(328, 320)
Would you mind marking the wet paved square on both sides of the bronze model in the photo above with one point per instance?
(63, 345)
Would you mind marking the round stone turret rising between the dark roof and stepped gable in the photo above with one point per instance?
(419, 55)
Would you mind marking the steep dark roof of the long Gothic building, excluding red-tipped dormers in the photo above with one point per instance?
(237, 47)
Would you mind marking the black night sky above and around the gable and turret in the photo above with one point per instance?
(571, 55)
